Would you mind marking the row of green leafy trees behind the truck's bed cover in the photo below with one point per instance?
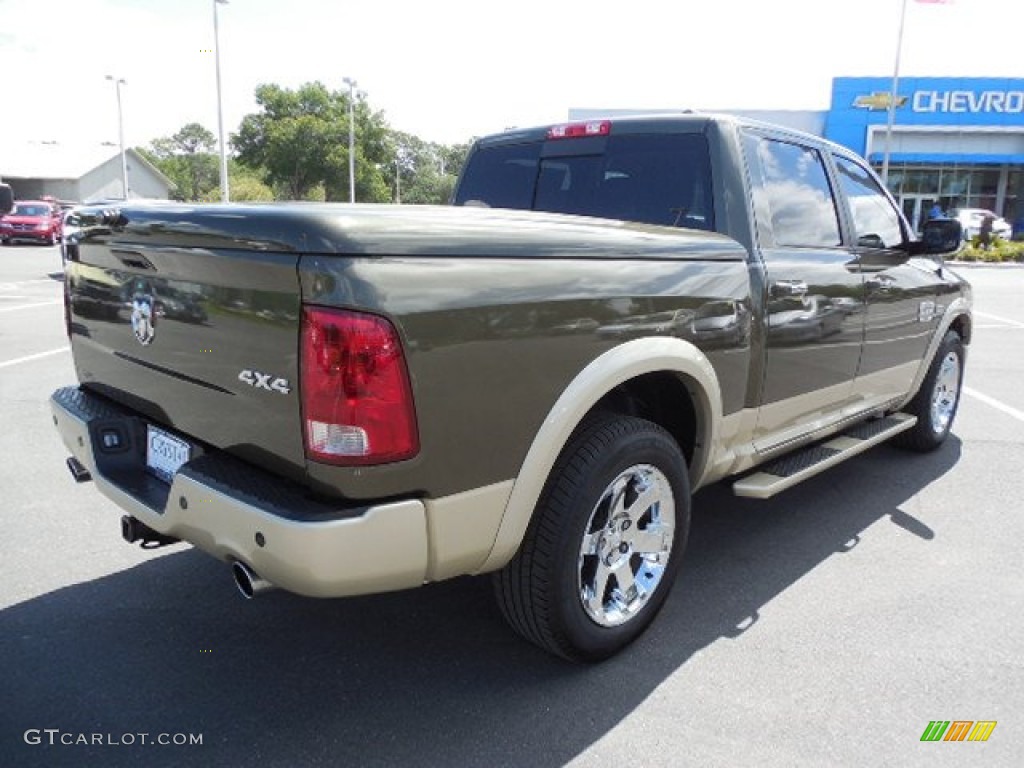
(295, 147)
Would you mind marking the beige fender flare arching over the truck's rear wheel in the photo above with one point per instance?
(618, 367)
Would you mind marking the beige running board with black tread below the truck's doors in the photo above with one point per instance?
(797, 467)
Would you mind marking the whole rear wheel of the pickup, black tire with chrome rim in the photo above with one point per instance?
(542, 591)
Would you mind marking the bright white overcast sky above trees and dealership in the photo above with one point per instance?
(449, 70)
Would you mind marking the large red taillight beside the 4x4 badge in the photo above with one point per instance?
(357, 400)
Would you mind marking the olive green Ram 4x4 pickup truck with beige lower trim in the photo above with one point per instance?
(345, 400)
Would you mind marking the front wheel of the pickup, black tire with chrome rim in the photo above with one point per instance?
(937, 401)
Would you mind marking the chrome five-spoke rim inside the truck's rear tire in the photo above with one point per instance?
(626, 545)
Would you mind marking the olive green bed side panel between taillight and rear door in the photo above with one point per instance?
(493, 343)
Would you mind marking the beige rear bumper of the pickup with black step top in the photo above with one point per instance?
(236, 513)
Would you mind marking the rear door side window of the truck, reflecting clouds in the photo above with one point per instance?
(800, 201)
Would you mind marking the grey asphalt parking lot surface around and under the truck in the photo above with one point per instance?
(827, 627)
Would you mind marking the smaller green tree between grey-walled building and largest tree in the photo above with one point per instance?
(189, 159)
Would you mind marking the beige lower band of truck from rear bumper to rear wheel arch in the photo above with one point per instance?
(392, 546)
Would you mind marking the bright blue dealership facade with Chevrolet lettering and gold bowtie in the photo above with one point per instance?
(944, 105)
